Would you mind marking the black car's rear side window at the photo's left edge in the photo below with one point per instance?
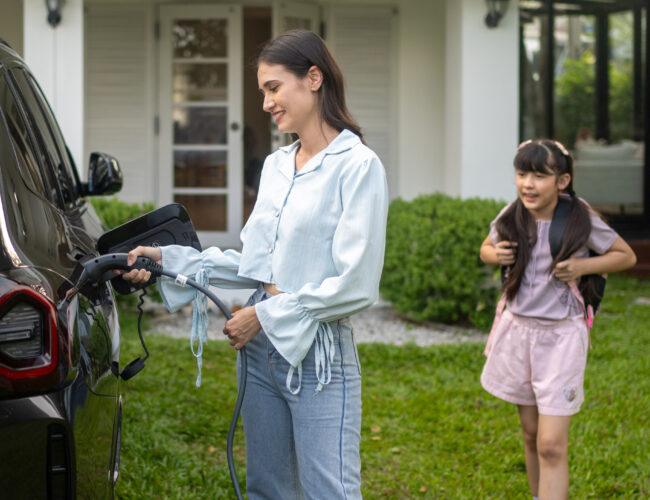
(21, 141)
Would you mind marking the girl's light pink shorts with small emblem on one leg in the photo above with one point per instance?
(539, 363)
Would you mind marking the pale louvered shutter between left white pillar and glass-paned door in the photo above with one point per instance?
(118, 112)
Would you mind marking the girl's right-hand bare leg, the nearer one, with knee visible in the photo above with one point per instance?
(553, 453)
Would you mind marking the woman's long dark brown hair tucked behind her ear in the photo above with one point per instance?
(299, 50)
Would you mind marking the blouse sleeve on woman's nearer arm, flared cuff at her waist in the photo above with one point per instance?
(291, 320)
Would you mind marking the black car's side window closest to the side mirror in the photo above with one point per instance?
(44, 130)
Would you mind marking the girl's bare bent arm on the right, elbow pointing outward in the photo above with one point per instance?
(619, 257)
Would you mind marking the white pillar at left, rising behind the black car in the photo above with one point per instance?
(55, 57)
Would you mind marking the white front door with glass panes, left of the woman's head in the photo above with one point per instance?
(200, 102)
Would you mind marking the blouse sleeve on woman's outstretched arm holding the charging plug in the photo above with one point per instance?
(221, 269)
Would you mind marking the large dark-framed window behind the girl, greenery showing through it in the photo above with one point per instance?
(583, 82)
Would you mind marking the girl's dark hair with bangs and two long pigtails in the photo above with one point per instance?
(518, 224)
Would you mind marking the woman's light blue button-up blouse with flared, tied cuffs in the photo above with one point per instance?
(317, 234)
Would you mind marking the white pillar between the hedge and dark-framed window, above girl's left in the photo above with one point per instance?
(482, 103)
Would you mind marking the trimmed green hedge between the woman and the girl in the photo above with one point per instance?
(432, 269)
